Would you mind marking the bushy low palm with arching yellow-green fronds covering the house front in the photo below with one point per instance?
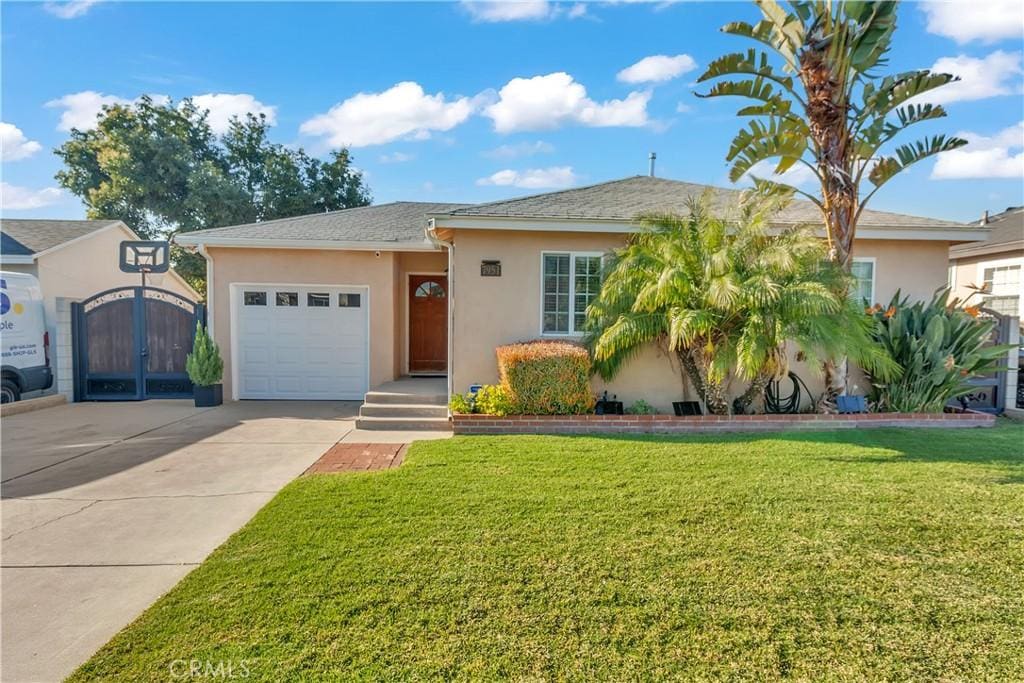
(726, 296)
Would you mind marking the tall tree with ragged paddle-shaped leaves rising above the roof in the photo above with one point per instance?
(826, 108)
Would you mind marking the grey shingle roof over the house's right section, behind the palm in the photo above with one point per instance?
(625, 199)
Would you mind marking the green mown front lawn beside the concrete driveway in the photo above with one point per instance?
(845, 556)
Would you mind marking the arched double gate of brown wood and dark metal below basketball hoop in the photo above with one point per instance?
(132, 344)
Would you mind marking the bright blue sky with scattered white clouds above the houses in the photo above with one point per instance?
(470, 103)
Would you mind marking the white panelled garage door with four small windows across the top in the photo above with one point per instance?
(302, 343)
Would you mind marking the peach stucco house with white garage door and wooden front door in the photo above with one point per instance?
(330, 306)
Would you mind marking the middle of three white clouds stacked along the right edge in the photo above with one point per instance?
(999, 74)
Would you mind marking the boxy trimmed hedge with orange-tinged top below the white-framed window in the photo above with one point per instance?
(546, 378)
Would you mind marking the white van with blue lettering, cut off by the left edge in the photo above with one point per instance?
(25, 343)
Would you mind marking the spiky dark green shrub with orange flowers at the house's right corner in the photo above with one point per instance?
(940, 348)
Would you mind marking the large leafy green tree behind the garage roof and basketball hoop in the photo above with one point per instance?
(162, 170)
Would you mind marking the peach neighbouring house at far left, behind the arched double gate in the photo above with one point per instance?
(73, 260)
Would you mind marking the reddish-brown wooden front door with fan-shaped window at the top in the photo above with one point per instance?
(428, 324)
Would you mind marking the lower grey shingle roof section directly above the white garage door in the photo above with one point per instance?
(400, 223)
